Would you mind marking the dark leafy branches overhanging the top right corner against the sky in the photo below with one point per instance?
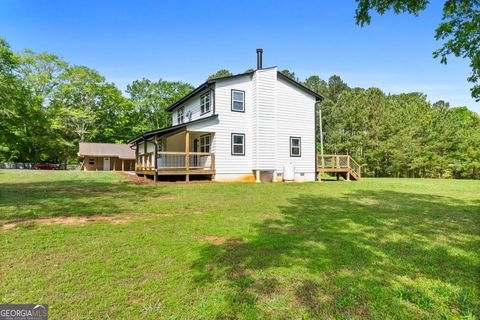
(460, 28)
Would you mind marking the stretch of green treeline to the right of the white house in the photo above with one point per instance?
(400, 135)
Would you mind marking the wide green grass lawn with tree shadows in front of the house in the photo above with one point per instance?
(378, 248)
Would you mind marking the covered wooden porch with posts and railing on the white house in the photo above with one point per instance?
(179, 153)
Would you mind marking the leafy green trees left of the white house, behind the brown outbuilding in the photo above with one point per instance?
(48, 106)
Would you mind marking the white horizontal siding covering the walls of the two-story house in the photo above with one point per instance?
(274, 111)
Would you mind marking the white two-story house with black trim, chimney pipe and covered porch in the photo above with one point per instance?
(254, 126)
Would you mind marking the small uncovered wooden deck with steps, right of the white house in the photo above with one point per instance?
(340, 165)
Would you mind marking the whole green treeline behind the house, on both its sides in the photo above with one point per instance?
(48, 106)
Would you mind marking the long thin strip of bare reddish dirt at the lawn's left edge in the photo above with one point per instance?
(70, 221)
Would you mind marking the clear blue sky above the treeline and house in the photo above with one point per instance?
(189, 40)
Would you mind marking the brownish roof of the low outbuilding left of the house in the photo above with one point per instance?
(122, 151)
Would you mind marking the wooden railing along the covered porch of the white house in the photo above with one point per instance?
(176, 161)
